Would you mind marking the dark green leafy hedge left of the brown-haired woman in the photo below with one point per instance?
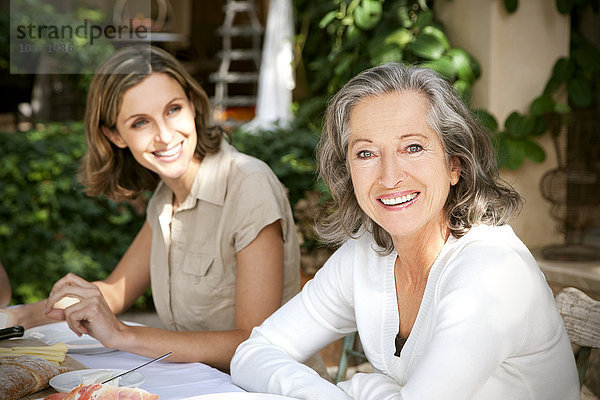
(48, 226)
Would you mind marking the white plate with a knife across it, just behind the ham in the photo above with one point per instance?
(69, 380)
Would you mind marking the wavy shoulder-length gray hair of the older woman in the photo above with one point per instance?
(479, 197)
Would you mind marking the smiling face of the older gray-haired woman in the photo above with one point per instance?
(399, 170)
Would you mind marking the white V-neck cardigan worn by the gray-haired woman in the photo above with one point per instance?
(487, 328)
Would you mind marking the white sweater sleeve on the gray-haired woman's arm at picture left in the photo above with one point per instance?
(270, 360)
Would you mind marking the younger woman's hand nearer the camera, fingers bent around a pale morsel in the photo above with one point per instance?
(83, 306)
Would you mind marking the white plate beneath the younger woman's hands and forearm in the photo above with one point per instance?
(59, 332)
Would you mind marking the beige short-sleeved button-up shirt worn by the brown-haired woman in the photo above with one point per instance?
(193, 259)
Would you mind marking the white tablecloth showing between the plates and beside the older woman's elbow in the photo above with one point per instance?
(167, 380)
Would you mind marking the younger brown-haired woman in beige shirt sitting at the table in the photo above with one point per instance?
(219, 246)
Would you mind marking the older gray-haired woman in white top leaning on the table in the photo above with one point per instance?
(448, 302)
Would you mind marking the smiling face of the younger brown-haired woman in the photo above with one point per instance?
(156, 122)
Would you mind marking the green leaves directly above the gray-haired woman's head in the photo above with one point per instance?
(345, 37)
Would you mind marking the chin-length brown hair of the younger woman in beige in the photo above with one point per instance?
(110, 170)
